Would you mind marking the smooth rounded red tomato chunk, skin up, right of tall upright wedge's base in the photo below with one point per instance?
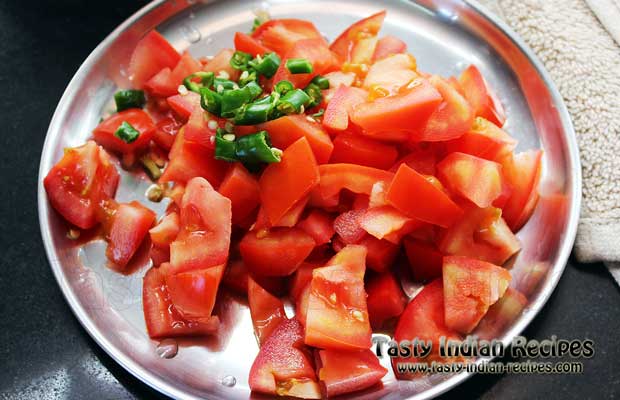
(278, 253)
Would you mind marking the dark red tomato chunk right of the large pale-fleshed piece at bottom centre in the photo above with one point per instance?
(386, 299)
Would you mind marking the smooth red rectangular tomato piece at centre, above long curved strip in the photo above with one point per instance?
(357, 149)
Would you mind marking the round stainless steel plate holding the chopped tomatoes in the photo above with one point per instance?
(445, 36)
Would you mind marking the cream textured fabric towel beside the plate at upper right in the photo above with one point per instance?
(575, 41)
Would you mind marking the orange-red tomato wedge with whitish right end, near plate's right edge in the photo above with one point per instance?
(484, 140)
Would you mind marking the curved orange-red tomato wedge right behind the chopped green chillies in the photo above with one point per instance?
(281, 35)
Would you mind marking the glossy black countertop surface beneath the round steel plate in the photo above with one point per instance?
(45, 353)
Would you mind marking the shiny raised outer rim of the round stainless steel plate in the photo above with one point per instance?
(165, 387)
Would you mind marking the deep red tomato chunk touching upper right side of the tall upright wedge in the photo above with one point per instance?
(243, 191)
